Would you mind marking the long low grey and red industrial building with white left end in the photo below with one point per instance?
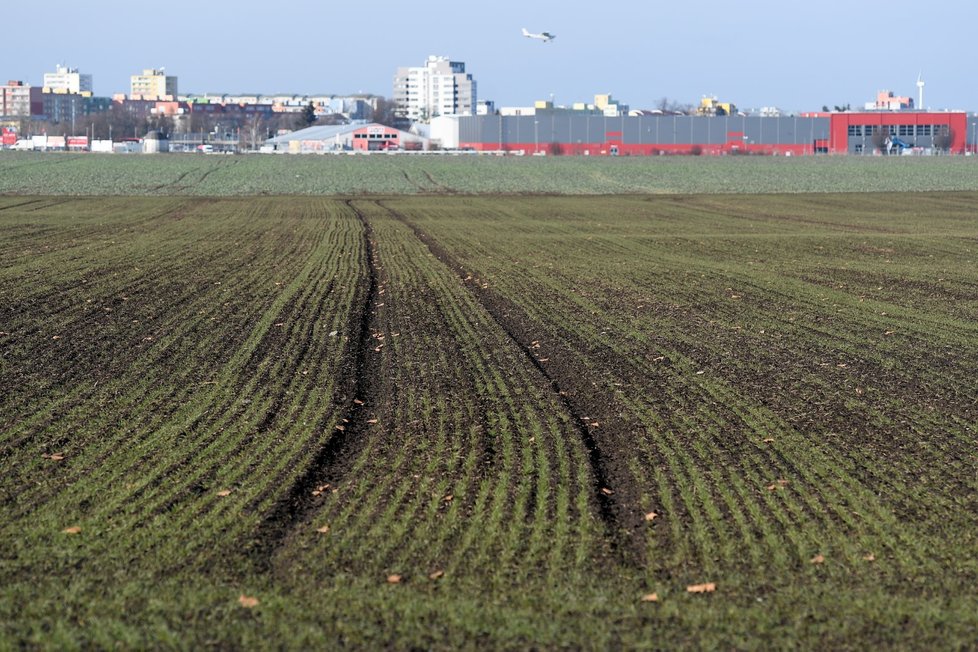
(556, 131)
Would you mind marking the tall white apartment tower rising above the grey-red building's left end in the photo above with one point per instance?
(439, 87)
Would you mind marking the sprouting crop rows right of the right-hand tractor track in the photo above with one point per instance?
(766, 418)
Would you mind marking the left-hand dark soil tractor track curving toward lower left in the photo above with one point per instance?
(356, 395)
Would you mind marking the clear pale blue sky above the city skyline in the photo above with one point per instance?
(795, 55)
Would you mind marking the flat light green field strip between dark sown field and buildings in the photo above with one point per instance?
(209, 175)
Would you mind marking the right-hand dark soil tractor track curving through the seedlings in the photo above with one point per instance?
(614, 497)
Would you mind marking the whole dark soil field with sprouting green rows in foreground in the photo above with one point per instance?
(489, 421)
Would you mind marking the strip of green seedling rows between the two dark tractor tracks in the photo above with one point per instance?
(467, 463)
